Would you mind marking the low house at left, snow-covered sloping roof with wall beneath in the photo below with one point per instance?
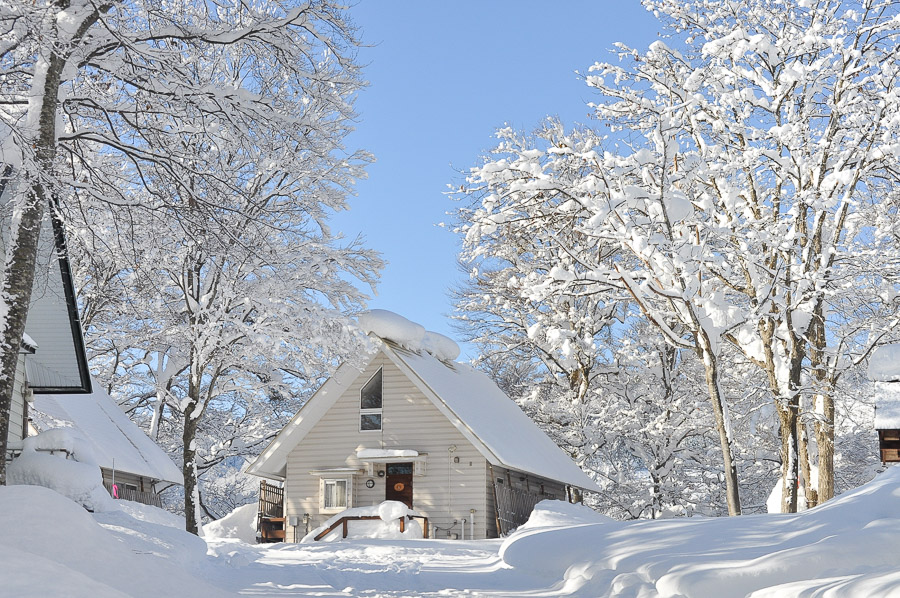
(132, 465)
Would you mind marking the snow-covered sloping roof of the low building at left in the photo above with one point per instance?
(111, 434)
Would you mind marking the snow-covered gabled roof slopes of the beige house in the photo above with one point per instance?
(490, 420)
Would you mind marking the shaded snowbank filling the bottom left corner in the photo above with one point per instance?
(50, 546)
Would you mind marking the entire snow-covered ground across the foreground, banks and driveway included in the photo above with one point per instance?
(49, 546)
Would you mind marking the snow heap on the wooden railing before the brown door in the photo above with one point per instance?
(386, 527)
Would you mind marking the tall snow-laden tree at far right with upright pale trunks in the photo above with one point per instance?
(782, 117)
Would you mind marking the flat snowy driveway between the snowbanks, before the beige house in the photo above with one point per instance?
(387, 568)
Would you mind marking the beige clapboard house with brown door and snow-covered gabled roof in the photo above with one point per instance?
(417, 427)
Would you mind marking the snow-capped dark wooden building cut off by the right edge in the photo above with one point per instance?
(884, 372)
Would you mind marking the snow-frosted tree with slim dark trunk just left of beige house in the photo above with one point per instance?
(235, 306)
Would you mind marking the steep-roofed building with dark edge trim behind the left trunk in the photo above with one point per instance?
(52, 358)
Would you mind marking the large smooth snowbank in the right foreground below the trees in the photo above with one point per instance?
(840, 548)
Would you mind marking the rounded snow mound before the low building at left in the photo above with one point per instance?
(43, 462)
